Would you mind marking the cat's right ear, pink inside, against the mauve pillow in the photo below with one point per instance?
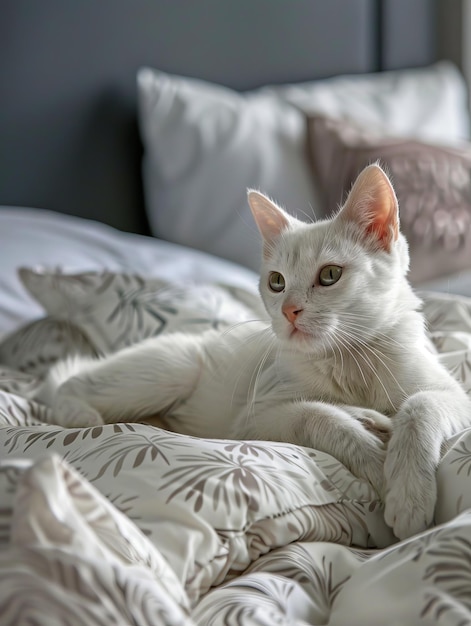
(372, 204)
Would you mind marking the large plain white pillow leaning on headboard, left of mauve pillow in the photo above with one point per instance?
(204, 145)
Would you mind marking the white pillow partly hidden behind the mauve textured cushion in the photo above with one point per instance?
(427, 103)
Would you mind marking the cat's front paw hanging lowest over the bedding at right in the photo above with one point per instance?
(409, 501)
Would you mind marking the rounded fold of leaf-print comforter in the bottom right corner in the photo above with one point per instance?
(424, 581)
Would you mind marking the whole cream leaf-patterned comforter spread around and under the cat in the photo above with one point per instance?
(132, 524)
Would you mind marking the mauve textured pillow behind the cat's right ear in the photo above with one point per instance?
(432, 183)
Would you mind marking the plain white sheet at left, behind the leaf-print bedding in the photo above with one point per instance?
(34, 237)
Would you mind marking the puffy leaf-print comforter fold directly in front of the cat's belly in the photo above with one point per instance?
(212, 507)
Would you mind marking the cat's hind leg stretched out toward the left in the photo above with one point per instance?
(146, 379)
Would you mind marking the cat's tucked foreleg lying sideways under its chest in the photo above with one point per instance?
(328, 428)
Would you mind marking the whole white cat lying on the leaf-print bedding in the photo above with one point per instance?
(339, 365)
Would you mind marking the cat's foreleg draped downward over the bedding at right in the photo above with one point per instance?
(423, 423)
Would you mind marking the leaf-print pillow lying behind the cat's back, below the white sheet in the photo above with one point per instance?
(116, 310)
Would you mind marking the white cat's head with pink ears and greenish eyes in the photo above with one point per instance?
(334, 280)
